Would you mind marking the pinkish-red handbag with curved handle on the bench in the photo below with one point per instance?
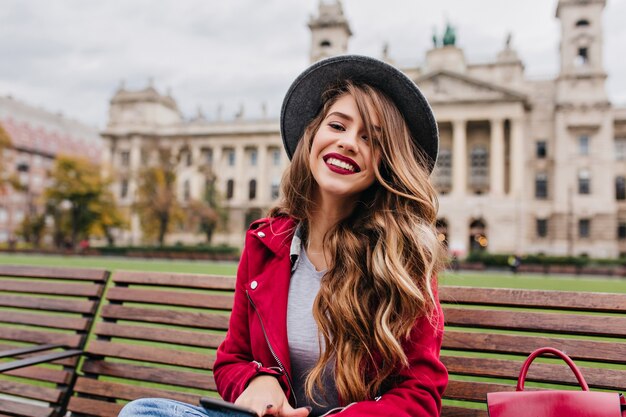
(554, 403)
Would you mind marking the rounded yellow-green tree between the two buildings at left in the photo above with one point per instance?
(75, 192)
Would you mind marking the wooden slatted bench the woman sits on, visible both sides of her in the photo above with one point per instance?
(158, 335)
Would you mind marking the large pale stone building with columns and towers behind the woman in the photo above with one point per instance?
(524, 165)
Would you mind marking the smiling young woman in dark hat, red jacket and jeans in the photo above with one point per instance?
(335, 309)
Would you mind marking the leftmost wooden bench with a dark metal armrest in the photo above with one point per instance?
(47, 310)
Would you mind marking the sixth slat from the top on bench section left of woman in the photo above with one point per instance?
(145, 373)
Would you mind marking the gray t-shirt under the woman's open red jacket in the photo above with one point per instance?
(302, 333)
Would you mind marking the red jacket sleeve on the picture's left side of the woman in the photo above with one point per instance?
(234, 365)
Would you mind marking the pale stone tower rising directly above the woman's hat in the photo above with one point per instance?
(330, 31)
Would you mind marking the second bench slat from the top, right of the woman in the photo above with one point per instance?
(545, 322)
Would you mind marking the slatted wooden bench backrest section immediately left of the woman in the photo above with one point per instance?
(157, 338)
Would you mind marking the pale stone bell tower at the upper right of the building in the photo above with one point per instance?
(582, 75)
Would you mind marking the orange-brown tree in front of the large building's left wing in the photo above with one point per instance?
(156, 202)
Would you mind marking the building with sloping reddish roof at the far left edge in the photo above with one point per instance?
(37, 136)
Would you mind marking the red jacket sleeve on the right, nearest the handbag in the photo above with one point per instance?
(421, 384)
